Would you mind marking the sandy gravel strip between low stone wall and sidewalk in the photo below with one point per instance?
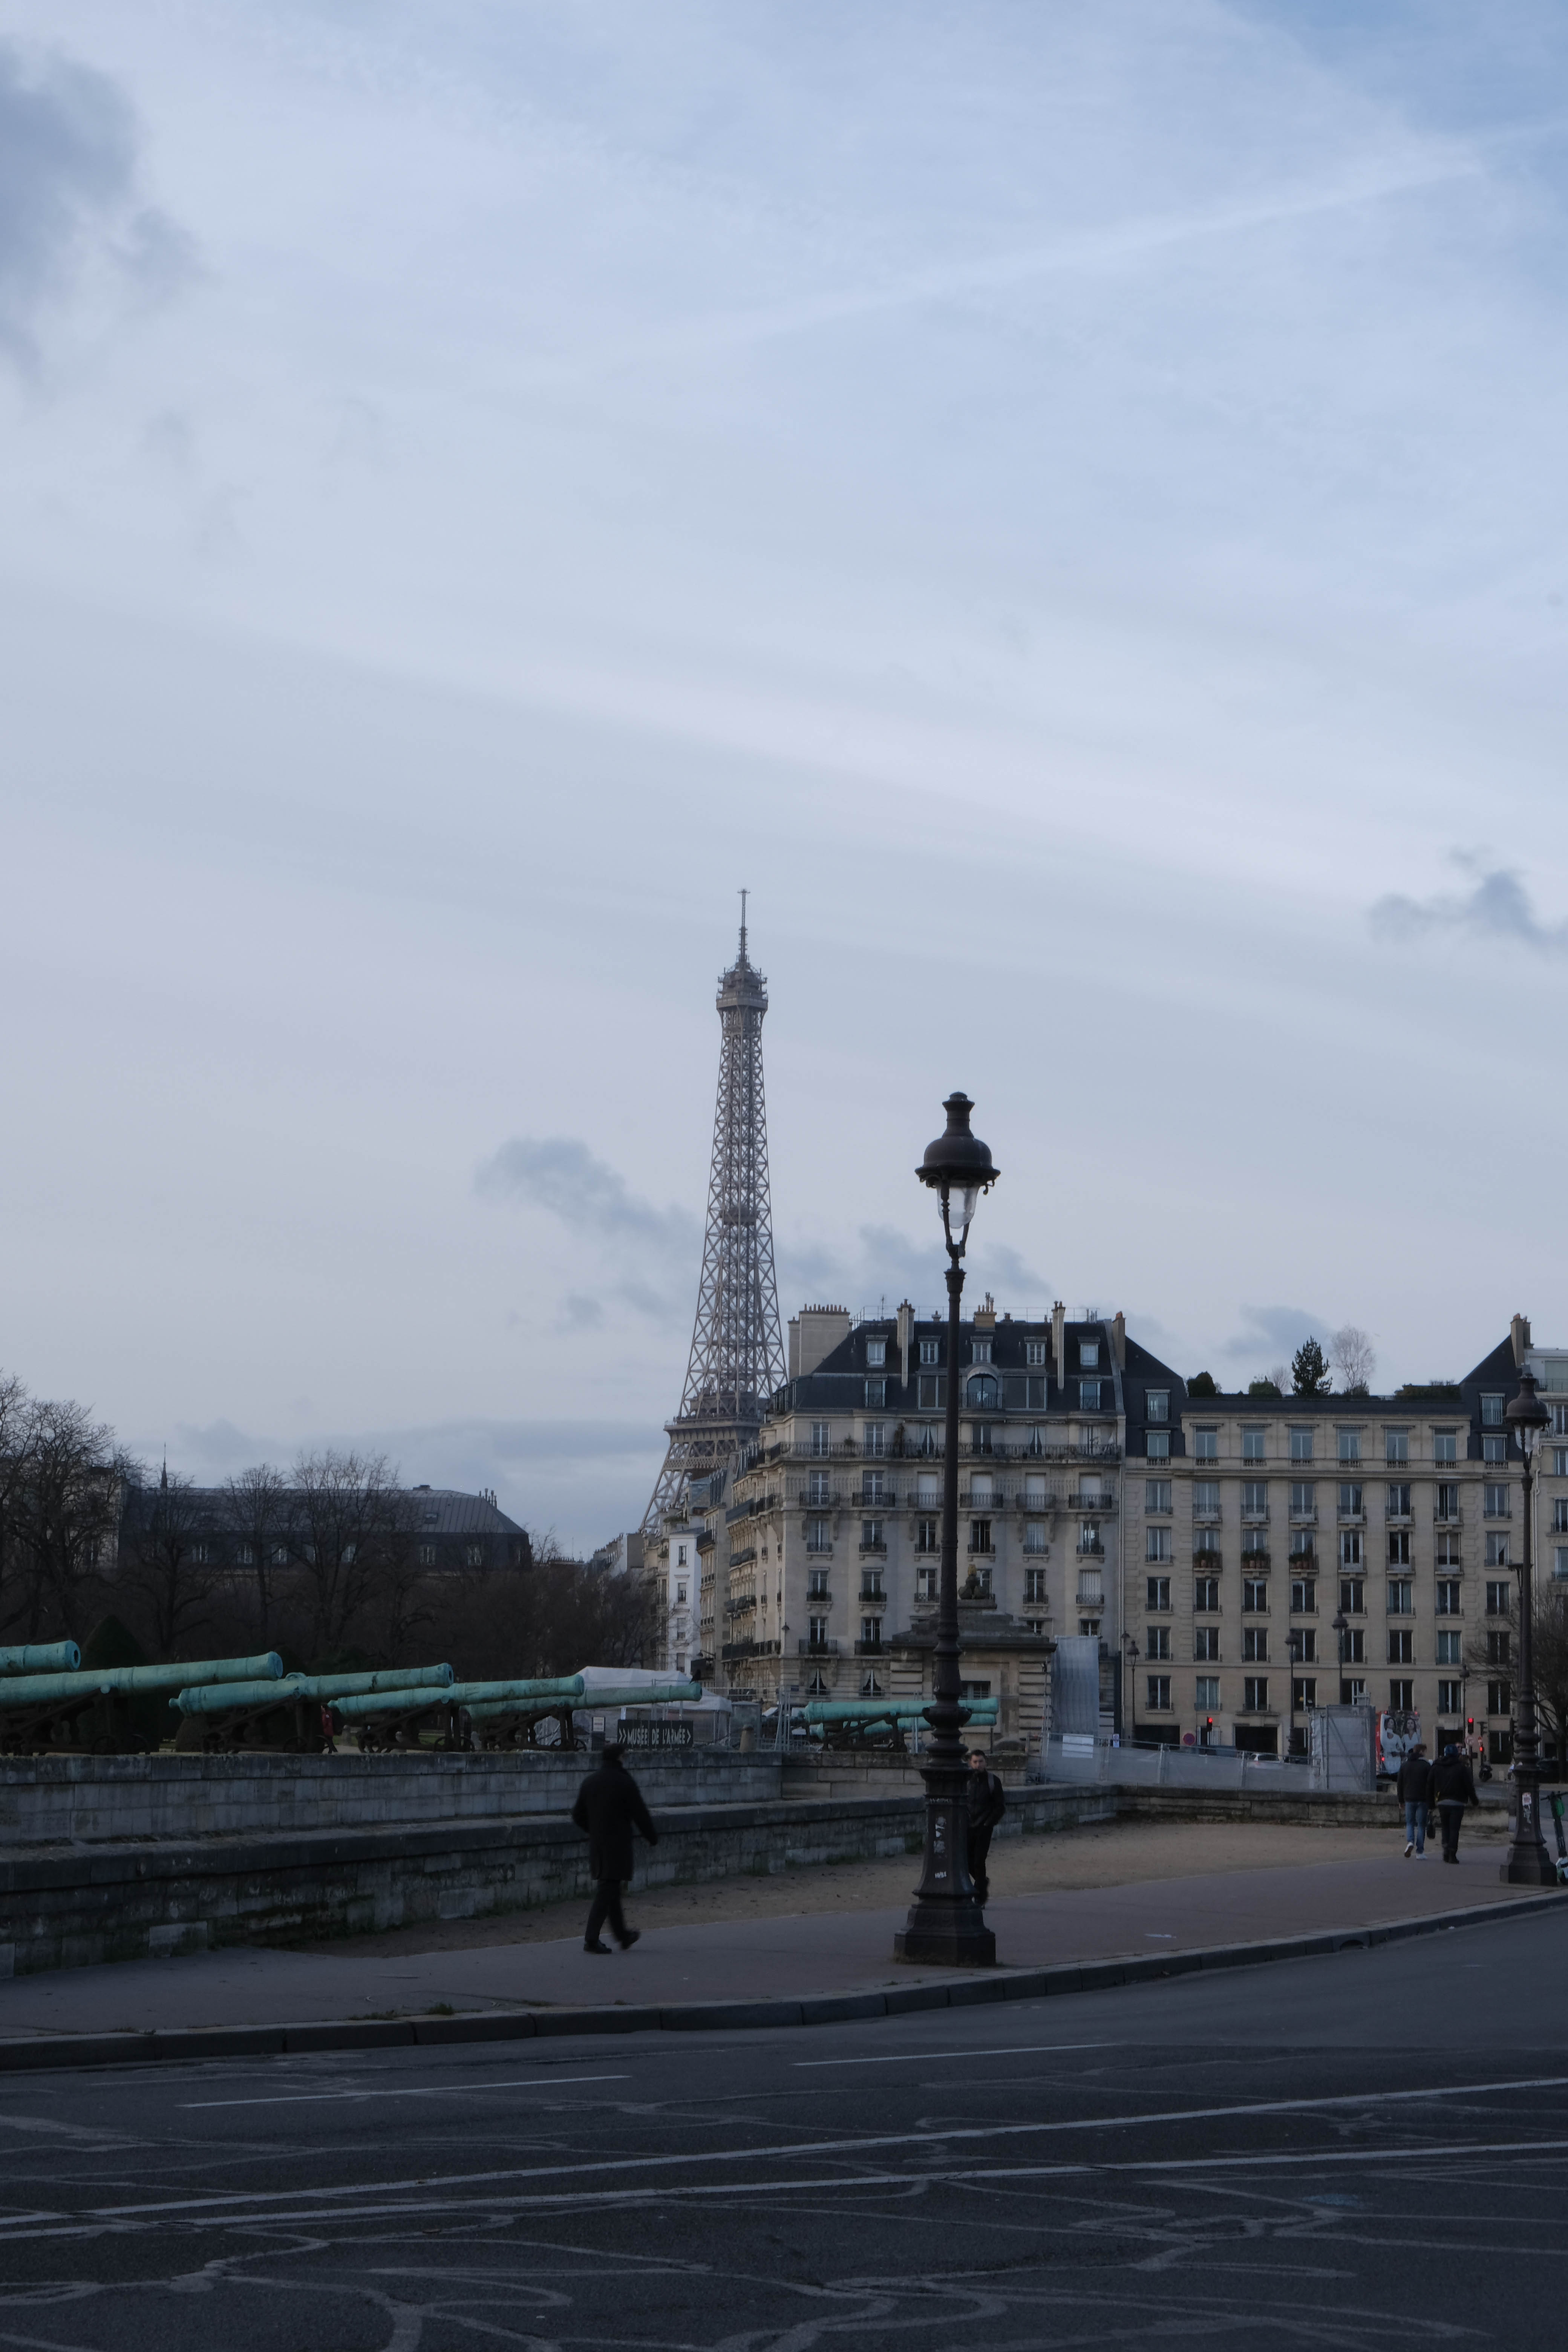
(1111, 1855)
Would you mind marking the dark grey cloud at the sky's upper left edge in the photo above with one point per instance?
(69, 192)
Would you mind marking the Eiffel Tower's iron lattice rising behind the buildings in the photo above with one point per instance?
(737, 1347)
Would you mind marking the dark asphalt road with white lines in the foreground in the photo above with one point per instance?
(1353, 2151)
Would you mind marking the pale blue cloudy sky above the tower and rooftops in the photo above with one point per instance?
(1066, 505)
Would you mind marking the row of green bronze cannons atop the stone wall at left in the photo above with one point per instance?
(51, 1702)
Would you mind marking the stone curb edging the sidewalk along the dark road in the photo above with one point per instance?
(718, 2017)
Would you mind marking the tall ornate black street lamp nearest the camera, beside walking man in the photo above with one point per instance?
(946, 1923)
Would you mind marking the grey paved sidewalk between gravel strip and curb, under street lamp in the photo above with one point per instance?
(746, 1958)
